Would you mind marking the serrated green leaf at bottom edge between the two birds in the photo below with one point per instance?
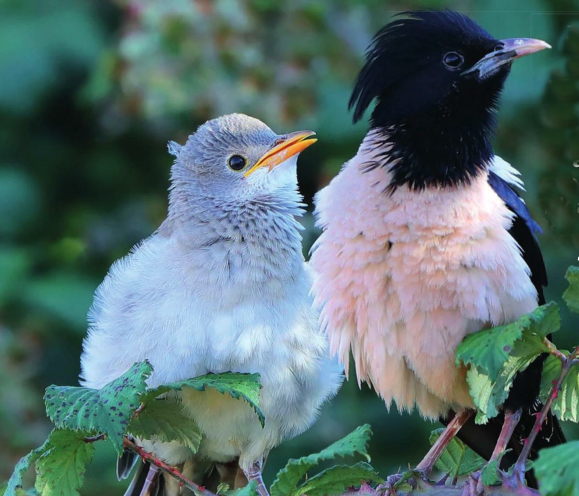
(288, 477)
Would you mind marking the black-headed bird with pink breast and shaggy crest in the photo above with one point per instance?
(425, 237)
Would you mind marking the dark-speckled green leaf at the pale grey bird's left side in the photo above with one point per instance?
(106, 411)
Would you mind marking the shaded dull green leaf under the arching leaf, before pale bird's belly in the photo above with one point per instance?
(165, 420)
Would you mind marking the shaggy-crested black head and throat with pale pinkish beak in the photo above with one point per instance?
(436, 77)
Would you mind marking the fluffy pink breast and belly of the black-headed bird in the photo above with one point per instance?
(403, 277)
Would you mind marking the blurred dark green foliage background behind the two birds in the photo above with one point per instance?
(90, 93)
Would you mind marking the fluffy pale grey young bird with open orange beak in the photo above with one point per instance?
(221, 286)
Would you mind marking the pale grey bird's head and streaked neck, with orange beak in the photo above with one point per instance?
(235, 181)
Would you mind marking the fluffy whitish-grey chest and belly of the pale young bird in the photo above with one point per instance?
(191, 312)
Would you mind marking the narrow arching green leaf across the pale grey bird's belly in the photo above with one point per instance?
(238, 386)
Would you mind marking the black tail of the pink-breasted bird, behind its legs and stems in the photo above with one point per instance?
(482, 438)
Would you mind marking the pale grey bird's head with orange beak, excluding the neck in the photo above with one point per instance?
(236, 158)
